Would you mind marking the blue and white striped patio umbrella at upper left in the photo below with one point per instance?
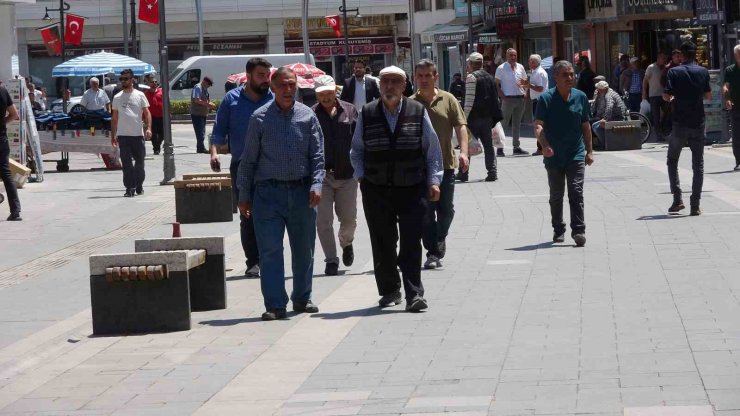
(101, 63)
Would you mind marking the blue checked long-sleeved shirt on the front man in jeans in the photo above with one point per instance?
(284, 146)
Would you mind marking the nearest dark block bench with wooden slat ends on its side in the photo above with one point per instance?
(142, 292)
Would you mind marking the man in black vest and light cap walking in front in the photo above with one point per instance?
(397, 159)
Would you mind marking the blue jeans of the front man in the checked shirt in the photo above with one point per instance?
(277, 206)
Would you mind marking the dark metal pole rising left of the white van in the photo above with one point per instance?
(169, 150)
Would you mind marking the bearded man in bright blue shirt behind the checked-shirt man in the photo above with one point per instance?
(232, 122)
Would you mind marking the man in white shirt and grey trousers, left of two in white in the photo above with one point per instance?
(511, 77)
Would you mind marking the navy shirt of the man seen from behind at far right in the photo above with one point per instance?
(687, 84)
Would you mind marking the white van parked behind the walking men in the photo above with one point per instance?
(218, 68)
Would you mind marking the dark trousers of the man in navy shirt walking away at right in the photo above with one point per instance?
(695, 139)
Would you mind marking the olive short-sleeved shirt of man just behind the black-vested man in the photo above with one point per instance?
(446, 114)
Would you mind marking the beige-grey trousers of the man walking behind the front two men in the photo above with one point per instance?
(338, 195)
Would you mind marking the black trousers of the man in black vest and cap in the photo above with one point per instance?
(390, 213)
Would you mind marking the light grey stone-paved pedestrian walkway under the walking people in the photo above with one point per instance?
(643, 321)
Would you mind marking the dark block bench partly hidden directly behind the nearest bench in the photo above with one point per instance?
(207, 281)
